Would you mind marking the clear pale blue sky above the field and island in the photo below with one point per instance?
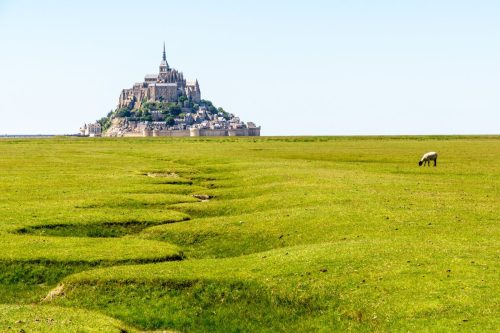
(316, 67)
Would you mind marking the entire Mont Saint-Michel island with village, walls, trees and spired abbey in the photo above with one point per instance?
(166, 104)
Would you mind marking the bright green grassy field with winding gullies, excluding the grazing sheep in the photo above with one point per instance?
(305, 234)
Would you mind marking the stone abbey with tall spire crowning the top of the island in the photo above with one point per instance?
(166, 86)
